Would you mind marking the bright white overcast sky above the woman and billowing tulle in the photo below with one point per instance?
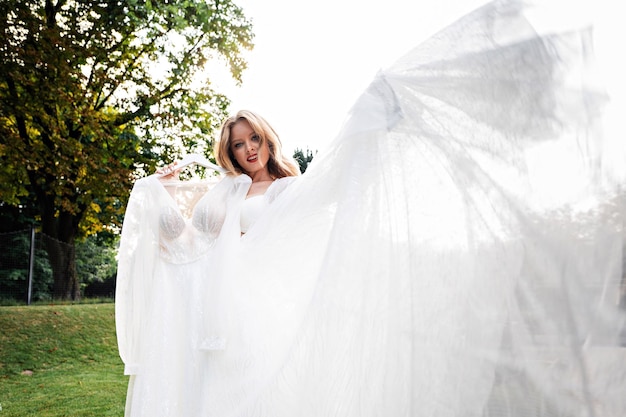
(312, 60)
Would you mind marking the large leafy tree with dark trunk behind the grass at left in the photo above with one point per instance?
(93, 93)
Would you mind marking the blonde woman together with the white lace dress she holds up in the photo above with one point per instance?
(169, 292)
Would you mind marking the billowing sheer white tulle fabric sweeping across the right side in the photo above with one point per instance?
(456, 251)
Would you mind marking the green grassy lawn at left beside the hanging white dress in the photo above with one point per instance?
(60, 361)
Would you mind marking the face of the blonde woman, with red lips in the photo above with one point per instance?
(246, 147)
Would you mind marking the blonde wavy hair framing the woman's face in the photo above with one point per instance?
(279, 165)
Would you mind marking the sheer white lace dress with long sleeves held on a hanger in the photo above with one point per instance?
(167, 287)
